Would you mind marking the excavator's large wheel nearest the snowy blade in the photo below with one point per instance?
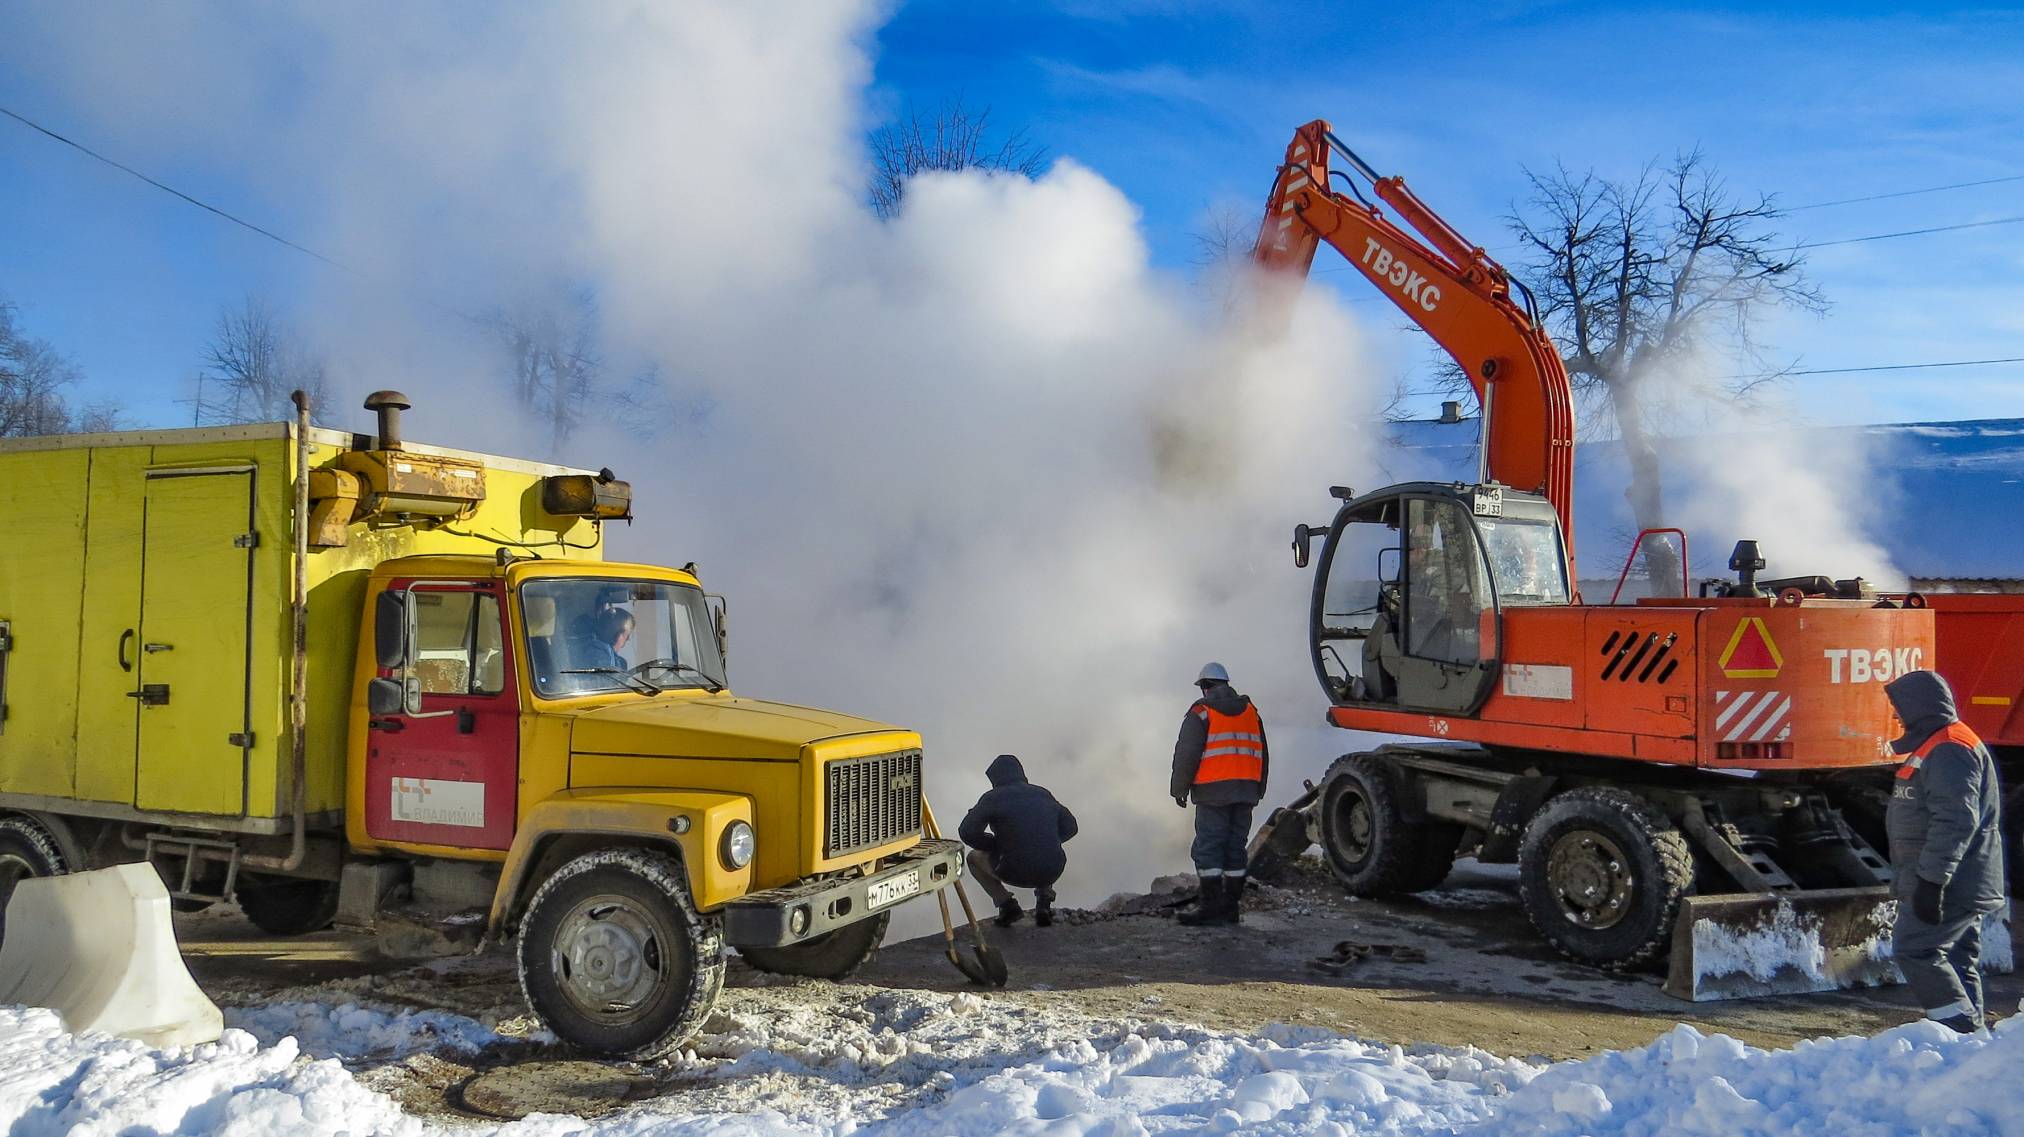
(1602, 875)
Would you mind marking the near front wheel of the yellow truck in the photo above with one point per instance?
(616, 960)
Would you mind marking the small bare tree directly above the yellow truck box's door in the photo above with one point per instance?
(252, 367)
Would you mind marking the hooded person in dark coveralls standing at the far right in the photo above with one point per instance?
(1946, 851)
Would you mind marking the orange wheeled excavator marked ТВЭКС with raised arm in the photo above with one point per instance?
(1663, 772)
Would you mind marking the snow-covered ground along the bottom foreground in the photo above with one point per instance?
(924, 1063)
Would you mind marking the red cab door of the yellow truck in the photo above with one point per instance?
(450, 774)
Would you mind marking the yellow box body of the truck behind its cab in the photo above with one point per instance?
(145, 602)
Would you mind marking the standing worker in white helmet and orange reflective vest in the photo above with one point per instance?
(1219, 766)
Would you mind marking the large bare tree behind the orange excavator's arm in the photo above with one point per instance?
(1636, 282)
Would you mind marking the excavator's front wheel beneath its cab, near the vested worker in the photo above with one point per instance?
(1365, 837)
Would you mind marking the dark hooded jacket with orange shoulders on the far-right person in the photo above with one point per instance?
(1946, 818)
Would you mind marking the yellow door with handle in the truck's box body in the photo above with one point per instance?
(189, 650)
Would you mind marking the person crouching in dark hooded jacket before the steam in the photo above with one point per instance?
(1017, 835)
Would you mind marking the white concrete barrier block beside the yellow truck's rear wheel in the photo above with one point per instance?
(98, 948)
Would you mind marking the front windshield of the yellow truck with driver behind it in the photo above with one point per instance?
(590, 636)
